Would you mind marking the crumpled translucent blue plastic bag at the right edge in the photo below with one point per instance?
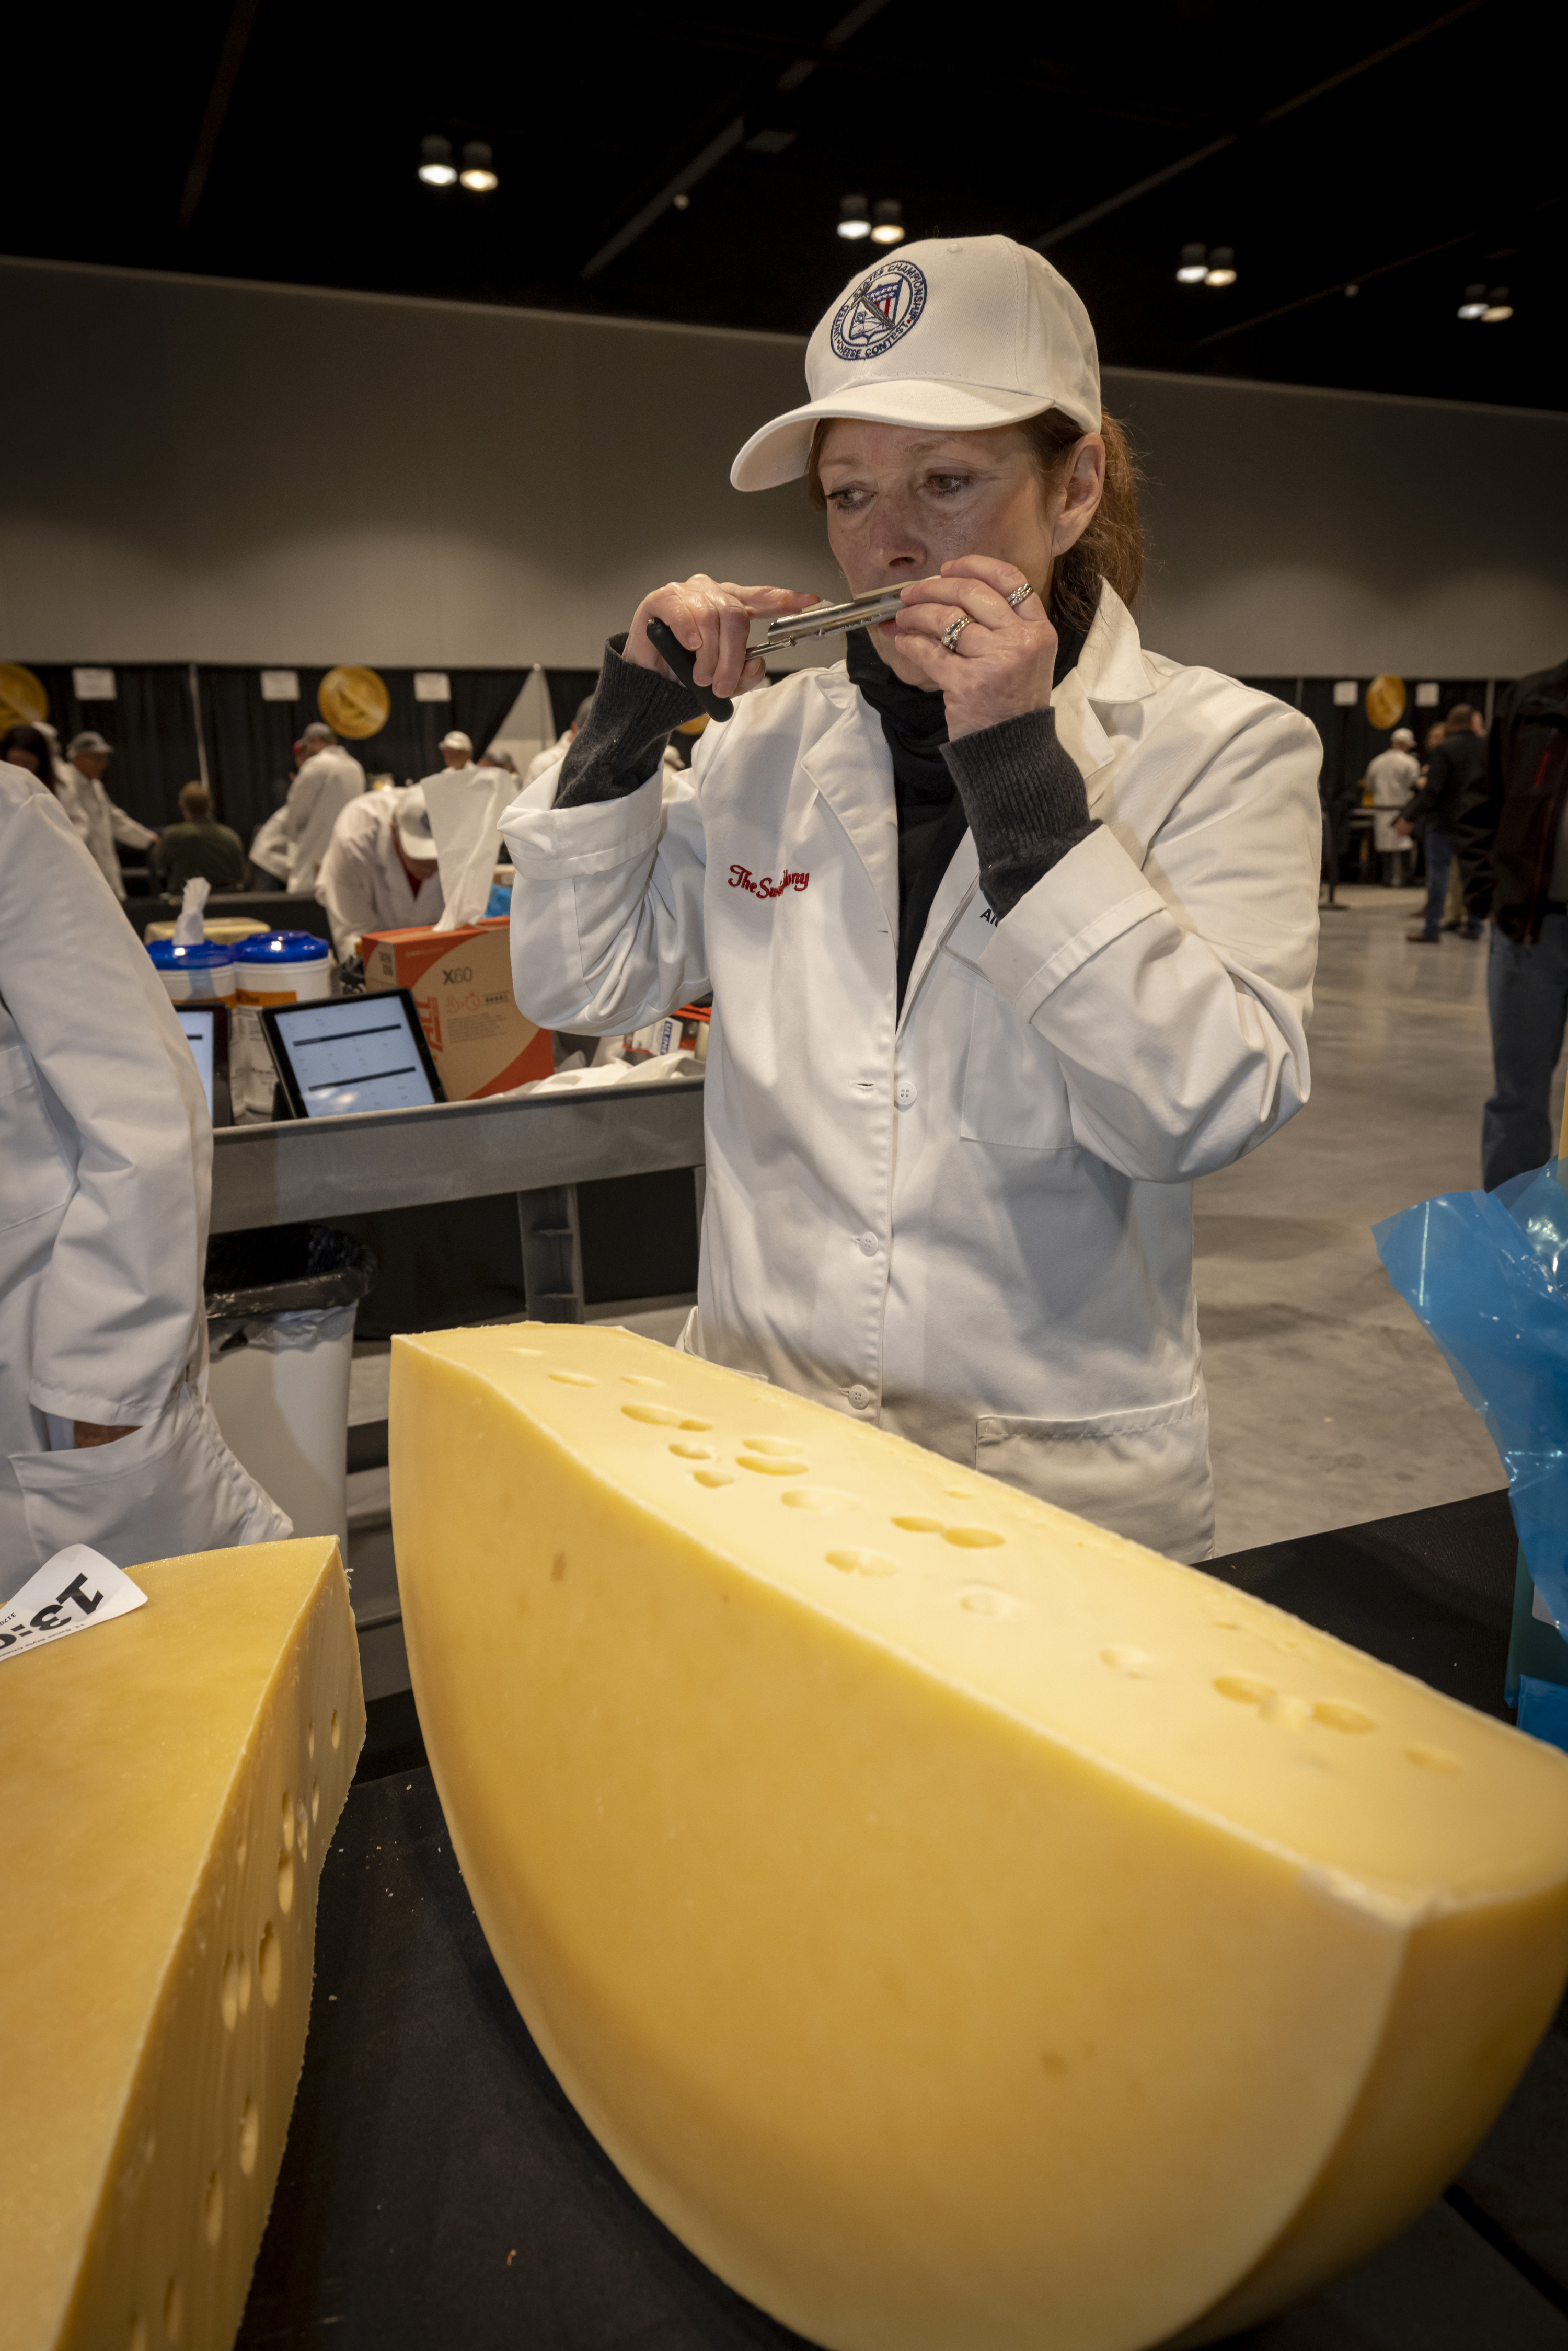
(1487, 1273)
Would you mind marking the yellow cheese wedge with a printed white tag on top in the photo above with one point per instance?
(168, 1786)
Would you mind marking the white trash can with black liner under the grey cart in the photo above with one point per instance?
(281, 1334)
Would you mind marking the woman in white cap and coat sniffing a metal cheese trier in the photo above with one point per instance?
(1010, 923)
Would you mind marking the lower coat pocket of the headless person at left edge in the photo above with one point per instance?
(166, 1489)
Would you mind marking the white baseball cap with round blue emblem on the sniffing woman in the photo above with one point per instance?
(951, 333)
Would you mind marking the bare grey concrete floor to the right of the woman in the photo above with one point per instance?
(1329, 1400)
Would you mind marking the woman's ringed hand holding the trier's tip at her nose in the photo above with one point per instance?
(1005, 657)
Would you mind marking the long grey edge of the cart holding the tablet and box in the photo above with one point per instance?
(309, 1170)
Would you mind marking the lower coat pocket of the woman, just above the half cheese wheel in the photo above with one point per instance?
(1141, 1473)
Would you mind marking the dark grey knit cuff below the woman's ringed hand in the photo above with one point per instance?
(1024, 798)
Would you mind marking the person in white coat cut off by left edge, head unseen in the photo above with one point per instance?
(107, 1153)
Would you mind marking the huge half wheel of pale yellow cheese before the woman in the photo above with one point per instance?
(965, 1929)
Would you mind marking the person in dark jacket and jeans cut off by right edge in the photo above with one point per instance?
(1513, 838)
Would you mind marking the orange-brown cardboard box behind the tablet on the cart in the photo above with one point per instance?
(462, 984)
